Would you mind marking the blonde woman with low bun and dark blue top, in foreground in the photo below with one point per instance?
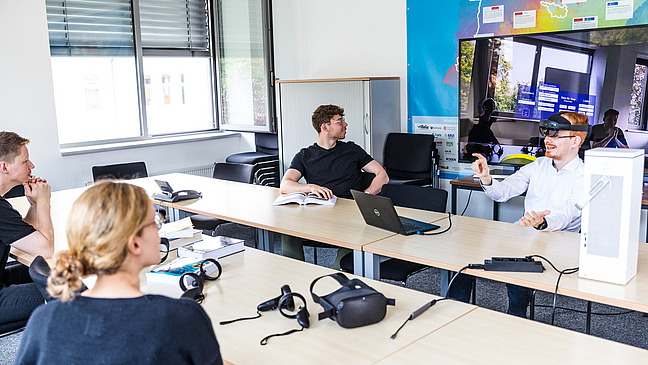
(112, 232)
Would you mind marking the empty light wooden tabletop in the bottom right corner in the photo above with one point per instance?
(487, 337)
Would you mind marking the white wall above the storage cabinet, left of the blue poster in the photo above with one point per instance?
(341, 38)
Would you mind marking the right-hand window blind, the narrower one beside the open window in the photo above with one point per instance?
(175, 24)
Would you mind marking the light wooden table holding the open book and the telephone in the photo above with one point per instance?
(341, 225)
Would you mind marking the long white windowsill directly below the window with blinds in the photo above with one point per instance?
(156, 141)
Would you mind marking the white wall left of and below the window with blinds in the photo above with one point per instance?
(27, 107)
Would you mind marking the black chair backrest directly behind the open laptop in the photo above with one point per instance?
(417, 197)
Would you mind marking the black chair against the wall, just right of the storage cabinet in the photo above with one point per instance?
(410, 158)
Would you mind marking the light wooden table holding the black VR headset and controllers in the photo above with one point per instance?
(255, 276)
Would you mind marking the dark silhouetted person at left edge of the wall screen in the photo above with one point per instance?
(481, 138)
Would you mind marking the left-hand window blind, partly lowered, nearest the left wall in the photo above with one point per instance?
(78, 27)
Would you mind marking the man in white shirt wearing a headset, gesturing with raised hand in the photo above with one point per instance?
(553, 184)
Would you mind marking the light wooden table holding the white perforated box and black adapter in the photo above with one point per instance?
(471, 240)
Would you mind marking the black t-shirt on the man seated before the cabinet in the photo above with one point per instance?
(338, 168)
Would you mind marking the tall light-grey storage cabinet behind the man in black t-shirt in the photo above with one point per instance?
(371, 107)
